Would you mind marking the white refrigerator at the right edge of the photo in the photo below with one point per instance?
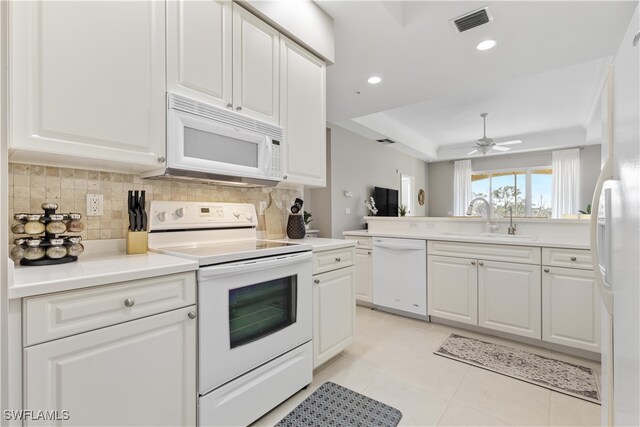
(615, 235)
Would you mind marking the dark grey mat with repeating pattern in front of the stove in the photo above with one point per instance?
(334, 405)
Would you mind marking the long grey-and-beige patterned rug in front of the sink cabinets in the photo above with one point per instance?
(563, 377)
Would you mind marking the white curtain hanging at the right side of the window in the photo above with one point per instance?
(565, 192)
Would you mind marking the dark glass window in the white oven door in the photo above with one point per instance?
(259, 310)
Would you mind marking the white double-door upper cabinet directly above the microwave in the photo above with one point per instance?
(221, 54)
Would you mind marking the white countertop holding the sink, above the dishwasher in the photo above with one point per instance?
(502, 240)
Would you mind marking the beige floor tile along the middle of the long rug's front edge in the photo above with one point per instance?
(515, 401)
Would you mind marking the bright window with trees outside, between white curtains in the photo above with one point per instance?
(527, 191)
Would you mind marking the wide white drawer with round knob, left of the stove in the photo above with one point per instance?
(63, 314)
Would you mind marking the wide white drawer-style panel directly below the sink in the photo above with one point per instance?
(490, 252)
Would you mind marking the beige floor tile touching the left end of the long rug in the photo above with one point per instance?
(429, 371)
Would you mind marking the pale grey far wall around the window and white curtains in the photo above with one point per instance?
(440, 177)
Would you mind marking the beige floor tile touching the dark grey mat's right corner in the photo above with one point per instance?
(419, 406)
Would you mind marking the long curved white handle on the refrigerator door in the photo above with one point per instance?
(605, 292)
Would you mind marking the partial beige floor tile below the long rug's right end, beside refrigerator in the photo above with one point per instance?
(571, 411)
